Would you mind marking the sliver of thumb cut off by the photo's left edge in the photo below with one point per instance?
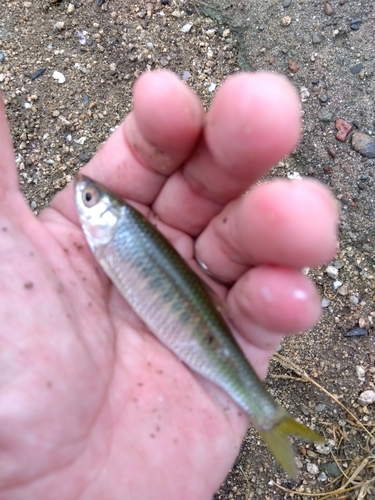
(8, 168)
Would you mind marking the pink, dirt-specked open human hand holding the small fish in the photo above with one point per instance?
(91, 405)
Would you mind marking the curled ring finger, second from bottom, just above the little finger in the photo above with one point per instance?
(288, 223)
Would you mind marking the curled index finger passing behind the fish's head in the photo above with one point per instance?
(149, 145)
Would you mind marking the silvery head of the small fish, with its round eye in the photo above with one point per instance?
(98, 209)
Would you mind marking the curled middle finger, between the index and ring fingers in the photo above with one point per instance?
(253, 122)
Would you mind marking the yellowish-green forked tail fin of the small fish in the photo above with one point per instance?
(277, 439)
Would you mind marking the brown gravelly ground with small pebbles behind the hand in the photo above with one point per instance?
(330, 58)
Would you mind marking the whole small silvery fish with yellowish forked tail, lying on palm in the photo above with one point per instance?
(172, 301)
